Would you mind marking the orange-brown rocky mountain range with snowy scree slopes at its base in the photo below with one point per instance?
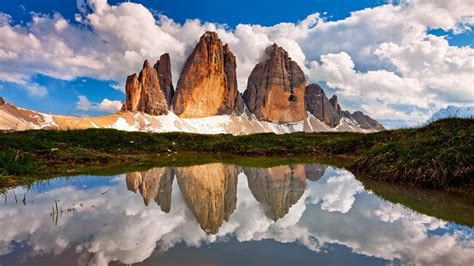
(207, 100)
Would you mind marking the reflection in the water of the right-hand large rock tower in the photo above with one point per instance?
(278, 188)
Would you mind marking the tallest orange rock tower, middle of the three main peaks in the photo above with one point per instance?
(207, 85)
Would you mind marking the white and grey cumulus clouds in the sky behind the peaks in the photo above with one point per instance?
(380, 60)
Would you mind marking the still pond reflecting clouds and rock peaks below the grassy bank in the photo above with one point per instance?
(220, 214)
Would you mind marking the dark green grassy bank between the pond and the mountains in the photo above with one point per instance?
(438, 155)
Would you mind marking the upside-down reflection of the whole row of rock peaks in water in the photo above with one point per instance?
(210, 190)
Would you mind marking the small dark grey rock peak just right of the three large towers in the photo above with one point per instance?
(318, 104)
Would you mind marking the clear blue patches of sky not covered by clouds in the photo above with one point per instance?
(62, 94)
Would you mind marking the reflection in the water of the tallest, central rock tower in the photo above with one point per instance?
(210, 191)
